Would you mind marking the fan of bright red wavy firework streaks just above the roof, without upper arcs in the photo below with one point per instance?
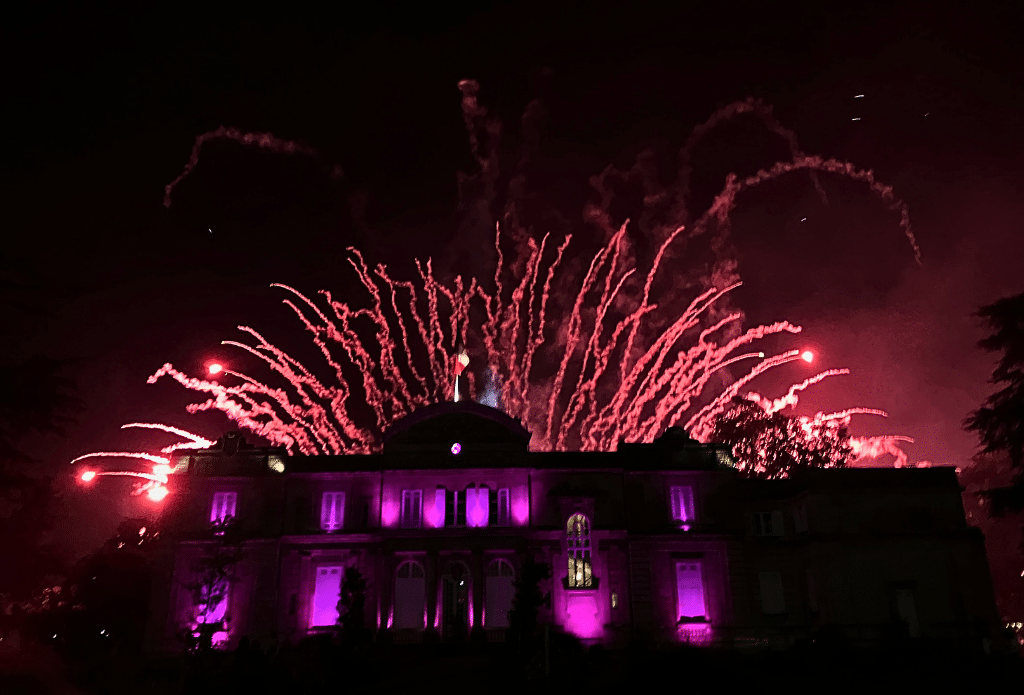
(606, 390)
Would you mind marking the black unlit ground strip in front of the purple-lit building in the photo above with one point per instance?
(319, 667)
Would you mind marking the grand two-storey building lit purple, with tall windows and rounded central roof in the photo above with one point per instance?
(657, 543)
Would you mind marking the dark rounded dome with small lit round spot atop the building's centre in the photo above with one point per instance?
(474, 426)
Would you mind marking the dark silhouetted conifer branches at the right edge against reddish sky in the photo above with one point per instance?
(1000, 422)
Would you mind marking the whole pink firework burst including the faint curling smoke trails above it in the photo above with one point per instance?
(585, 359)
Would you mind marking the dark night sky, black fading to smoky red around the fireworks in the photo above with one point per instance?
(102, 108)
